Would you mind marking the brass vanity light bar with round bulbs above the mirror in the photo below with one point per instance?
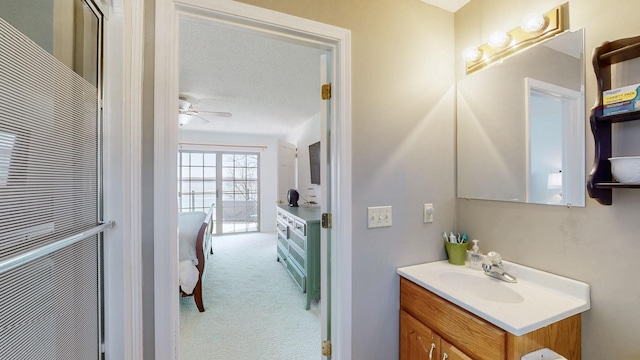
(534, 30)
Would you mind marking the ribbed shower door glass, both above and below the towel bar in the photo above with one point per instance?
(49, 190)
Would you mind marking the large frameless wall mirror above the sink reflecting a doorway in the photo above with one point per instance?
(521, 126)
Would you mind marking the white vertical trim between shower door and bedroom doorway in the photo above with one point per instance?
(122, 114)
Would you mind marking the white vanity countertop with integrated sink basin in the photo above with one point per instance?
(538, 298)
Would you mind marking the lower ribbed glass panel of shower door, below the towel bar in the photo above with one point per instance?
(48, 308)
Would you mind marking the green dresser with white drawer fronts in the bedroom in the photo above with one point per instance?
(298, 247)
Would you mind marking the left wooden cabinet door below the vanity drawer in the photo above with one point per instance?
(417, 342)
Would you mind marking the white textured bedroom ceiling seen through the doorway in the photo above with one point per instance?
(268, 85)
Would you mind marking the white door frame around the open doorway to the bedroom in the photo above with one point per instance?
(266, 23)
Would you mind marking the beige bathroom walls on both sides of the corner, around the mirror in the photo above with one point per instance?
(402, 143)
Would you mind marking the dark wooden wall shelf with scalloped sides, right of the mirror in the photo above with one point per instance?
(600, 182)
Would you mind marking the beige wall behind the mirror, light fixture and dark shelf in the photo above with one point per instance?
(596, 244)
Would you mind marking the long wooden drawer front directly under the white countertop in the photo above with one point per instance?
(457, 326)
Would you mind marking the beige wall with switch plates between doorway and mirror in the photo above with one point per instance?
(402, 145)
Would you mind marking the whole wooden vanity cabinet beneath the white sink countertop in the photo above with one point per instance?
(427, 319)
